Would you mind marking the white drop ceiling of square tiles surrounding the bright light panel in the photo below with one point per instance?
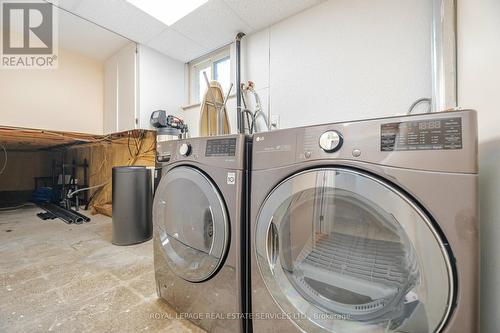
(209, 27)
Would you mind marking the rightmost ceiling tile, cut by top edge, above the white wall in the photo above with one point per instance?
(263, 13)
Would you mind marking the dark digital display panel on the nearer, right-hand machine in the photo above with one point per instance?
(436, 134)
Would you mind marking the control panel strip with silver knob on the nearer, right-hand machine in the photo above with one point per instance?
(438, 141)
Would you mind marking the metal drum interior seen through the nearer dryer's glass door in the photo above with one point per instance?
(367, 269)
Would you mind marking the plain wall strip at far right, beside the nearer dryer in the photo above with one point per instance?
(479, 88)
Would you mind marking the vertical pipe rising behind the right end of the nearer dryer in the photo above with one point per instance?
(444, 55)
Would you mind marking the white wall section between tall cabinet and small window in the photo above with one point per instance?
(161, 84)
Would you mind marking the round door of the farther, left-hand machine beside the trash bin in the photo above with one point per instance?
(190, 217)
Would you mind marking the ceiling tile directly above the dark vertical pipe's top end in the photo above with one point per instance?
(212, 25)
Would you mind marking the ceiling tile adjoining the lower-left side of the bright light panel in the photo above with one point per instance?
(121, 17)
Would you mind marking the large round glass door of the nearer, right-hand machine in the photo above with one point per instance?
(341, 251)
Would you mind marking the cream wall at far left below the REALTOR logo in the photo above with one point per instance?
(69, 98)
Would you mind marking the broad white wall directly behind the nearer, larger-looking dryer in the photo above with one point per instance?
(340, 60)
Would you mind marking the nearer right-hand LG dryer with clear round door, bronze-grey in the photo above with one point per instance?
(367, 226)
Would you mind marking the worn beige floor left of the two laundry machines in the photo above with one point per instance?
(70, 278)
